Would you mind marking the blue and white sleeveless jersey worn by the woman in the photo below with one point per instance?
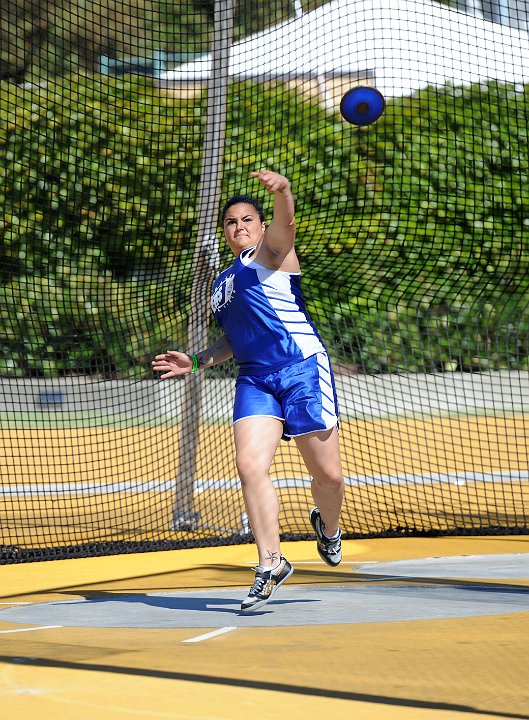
(262, 313)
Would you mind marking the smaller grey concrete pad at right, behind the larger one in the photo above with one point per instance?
(507, 566)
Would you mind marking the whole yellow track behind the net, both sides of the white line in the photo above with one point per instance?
(98, 457)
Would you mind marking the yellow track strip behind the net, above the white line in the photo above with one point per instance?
(404, 445)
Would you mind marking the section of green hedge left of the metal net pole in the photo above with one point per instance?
(90, 189)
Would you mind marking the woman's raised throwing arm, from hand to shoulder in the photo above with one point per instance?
(280, 235)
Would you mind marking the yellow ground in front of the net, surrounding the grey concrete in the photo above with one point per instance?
(473, 667)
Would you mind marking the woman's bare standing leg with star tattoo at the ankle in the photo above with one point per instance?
(256, 441)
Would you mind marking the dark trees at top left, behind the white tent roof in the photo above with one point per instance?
(41, 39)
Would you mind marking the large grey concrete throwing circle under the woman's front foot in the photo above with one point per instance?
(291, 606)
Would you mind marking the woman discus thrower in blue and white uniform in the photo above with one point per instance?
(285, 386)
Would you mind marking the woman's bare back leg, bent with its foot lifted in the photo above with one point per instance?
(321, 454)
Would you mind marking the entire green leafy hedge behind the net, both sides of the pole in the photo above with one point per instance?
(413, 233)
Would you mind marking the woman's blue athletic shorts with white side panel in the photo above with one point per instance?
(302, 396)
